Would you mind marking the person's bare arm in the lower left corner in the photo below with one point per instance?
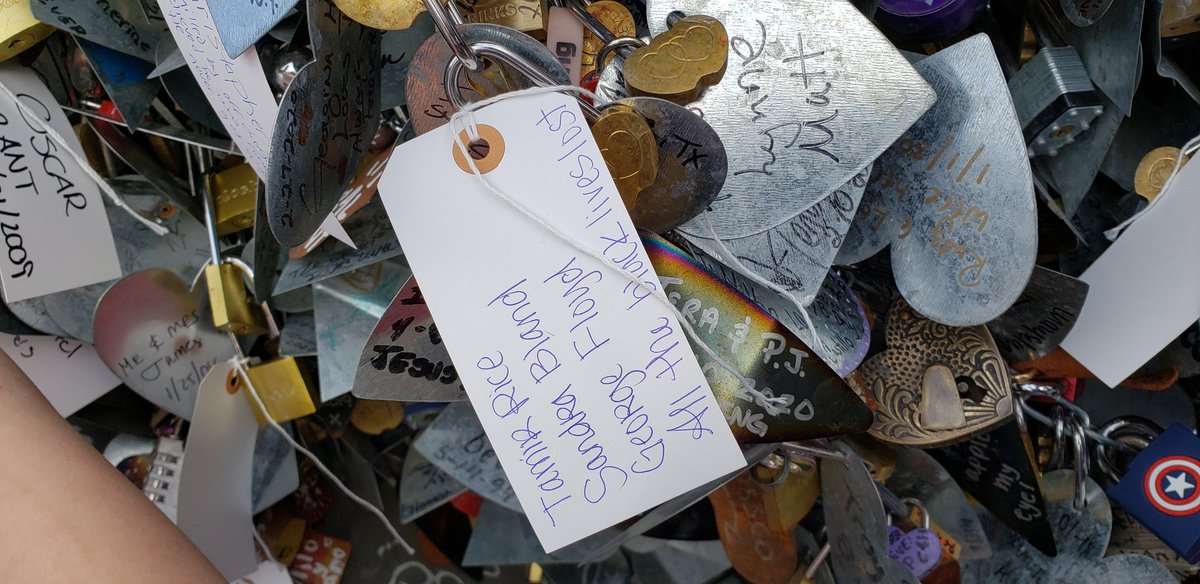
(69, 516)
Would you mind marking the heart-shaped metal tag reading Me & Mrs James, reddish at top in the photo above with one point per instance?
(157, 336)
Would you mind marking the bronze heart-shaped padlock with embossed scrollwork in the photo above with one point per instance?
(937, 384)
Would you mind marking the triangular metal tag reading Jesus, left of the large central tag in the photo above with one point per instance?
(405, 359)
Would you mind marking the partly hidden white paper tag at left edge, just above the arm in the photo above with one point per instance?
(68, 372)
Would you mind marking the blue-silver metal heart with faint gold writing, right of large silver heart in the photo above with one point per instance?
(955, 196)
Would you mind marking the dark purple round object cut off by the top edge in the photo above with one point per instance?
(927, 21)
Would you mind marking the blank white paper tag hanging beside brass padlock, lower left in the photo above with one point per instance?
(215, 481)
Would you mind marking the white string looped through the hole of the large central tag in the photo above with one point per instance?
(466, 118)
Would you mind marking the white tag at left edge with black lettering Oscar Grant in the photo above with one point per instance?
(52, 218)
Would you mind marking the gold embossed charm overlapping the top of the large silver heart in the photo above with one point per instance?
(681, 63)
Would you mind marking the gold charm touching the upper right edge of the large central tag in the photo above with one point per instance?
(629, 150)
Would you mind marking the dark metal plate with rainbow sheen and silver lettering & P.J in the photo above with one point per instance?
(819, 404)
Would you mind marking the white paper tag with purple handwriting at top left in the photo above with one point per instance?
(236, 88)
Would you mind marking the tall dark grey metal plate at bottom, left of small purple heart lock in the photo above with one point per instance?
(857, 525)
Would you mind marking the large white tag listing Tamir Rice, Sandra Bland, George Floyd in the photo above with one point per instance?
(583, 380)
